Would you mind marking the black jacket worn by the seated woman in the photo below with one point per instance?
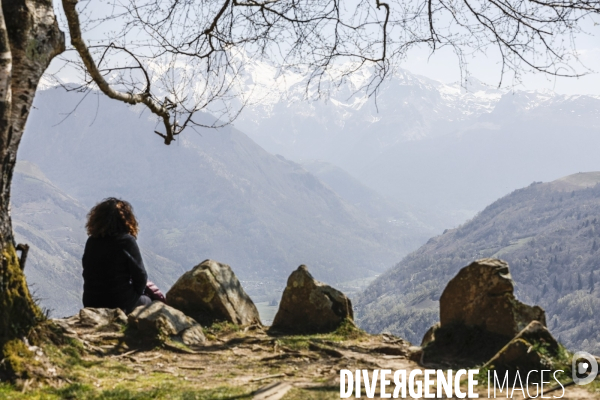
(113, 272)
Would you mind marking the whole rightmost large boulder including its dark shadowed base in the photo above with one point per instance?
(479, 316)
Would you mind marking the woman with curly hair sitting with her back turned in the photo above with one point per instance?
(113, 271)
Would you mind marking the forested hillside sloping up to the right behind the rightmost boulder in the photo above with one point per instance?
(550, 235)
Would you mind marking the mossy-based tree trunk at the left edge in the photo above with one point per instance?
(29, 39)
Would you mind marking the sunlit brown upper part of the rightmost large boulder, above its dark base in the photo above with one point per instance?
(481, 295)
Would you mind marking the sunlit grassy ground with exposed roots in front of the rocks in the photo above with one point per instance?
(232, 364)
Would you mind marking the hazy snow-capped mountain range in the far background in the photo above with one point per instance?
(448, 148)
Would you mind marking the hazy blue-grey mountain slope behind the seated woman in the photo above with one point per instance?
(212, 194)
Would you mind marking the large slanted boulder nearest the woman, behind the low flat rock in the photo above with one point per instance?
(211, 292)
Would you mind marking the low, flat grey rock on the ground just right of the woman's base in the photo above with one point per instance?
(159, 321)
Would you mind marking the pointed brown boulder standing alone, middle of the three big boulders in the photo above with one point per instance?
(310, 306)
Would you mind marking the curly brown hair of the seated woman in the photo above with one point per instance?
(111, 217)
